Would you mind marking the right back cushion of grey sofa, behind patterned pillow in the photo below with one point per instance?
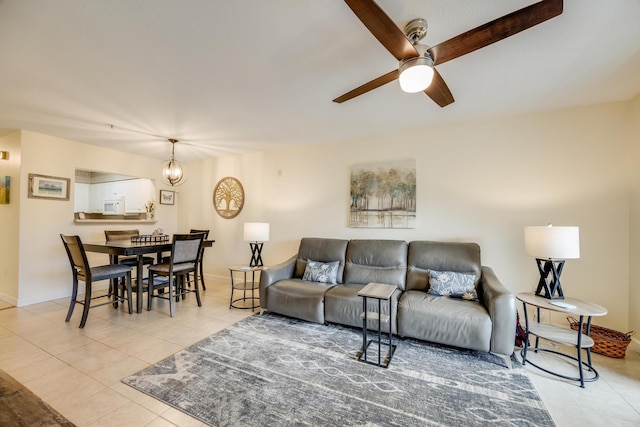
(440, 256)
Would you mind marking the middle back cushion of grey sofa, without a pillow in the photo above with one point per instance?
(381, 261)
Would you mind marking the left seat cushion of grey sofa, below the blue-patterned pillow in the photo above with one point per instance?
(299, 299)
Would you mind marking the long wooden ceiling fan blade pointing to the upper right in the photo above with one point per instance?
(495, 30)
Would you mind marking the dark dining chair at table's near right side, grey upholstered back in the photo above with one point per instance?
(185, 250)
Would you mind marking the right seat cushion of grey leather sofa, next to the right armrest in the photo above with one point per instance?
(450, 321)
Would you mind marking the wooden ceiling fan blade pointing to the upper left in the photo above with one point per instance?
(383, 28)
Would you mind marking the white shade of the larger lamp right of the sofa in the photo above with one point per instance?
(549, 242)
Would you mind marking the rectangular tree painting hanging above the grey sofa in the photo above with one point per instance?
(383, 195)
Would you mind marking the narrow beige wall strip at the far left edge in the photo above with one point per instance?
(10, 219)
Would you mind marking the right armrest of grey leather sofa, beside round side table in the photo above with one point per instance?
(501, 305)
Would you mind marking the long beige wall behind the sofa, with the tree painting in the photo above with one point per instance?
(480, 181)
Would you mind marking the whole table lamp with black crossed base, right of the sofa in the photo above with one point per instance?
(551, 246)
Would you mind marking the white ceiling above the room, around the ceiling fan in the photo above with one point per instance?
(226, 76)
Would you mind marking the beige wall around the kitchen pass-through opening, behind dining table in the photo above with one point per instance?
(43, 264)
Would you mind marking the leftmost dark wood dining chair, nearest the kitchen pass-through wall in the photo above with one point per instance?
(82, 271)
